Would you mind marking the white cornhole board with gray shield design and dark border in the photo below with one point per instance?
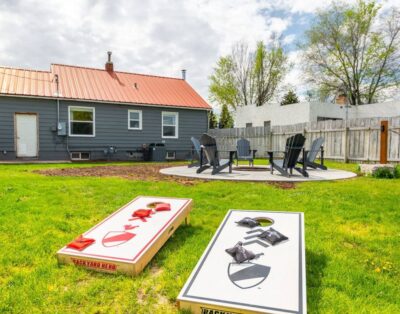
(275, 282)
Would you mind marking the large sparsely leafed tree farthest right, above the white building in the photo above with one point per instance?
(350, 47)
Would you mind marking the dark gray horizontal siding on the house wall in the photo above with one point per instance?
(111, 127)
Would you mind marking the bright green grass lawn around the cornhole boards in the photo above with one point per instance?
(352, 241)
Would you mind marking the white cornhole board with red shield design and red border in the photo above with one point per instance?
(123, 245)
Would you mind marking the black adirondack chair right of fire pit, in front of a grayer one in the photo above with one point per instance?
(294, 147)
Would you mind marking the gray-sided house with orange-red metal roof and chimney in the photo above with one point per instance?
(80, 113)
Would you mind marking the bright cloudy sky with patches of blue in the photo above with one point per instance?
(154, 37)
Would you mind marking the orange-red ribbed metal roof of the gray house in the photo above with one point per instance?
(88, 84)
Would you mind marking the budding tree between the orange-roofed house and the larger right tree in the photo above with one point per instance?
(244, 78)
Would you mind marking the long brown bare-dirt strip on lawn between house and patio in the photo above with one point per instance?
(136, 172)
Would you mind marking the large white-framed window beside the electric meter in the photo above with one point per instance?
(81, 121)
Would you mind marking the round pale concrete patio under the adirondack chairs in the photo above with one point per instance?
(261, 174)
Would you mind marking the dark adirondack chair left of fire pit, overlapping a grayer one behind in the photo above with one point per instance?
(210, 151)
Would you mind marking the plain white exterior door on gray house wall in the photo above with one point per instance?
(26, 135)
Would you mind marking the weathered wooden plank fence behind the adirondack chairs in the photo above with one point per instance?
(356, 140)
